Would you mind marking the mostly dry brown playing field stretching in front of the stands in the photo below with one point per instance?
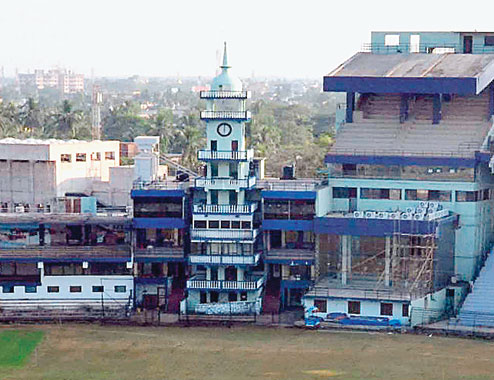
(91, 352)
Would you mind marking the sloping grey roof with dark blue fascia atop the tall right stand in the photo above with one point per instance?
(466, 74)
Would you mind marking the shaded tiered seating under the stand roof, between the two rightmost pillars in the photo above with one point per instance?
(466, 108)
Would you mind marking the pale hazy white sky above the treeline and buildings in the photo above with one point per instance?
(164, 38)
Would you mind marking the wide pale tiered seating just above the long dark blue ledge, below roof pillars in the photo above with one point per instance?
(410, 138)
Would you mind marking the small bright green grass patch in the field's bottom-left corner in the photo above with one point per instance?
(17, 345)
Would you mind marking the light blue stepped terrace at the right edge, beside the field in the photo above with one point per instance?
(478, 308)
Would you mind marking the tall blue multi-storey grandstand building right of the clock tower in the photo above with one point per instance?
(410, 219)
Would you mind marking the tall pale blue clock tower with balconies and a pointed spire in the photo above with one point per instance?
(225, 239)
